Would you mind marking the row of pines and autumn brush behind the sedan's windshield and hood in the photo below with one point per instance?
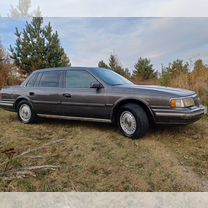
(179, 74)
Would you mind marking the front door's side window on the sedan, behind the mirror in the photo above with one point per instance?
(79, 79)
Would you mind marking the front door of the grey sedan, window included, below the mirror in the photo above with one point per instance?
(79, 99)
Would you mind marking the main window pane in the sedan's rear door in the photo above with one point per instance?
(50, 79)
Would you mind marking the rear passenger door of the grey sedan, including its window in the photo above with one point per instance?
(46, 92)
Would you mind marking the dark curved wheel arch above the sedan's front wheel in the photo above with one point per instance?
(139, 102)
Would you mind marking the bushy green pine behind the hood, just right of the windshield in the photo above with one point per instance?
(144, 69)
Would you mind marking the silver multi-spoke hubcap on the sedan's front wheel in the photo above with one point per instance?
(128, 122)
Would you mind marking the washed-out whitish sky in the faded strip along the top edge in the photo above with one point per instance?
(114, 8)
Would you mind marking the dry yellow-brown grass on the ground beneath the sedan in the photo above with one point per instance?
(95, 157)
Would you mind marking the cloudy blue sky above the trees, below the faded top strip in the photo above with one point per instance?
(89, 40)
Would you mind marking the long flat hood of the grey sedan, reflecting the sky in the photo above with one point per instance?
(178, 92)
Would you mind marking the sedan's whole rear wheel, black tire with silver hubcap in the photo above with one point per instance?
(25, 112)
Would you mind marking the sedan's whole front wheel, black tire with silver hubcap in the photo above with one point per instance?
(132, 121)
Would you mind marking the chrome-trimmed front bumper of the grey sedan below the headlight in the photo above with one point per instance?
(179, 116)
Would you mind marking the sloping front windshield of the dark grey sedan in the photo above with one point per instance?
(110, 77)
